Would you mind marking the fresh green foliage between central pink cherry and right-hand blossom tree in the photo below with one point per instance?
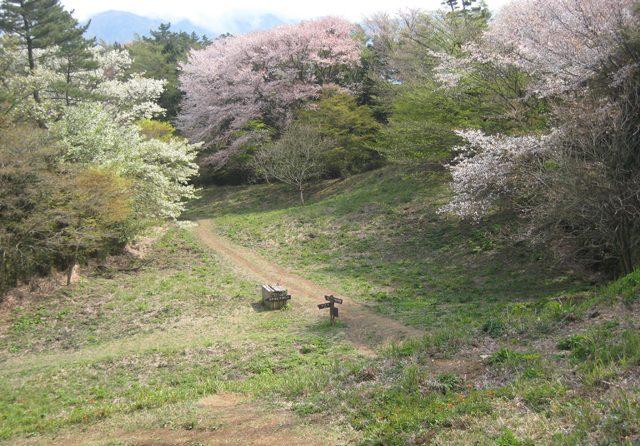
(425, 117)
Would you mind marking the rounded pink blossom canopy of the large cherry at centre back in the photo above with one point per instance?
(264, 75)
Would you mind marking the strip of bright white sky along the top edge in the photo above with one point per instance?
(208, 12)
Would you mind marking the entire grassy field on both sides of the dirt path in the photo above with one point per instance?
(515, 351)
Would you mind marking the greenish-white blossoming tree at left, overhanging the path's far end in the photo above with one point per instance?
(160, 170)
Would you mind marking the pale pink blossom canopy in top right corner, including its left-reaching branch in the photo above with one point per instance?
(560, 43)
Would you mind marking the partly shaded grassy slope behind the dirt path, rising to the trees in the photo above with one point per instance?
(378, 237)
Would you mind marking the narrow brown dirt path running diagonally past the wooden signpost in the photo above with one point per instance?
(364, 328)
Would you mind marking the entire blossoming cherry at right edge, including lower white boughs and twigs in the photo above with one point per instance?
(578, 187)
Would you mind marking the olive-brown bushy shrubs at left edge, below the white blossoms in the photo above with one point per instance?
(54, 214)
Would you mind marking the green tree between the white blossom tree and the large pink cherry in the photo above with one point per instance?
(159, 56)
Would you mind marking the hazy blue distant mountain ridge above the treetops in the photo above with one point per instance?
(122, 26)
